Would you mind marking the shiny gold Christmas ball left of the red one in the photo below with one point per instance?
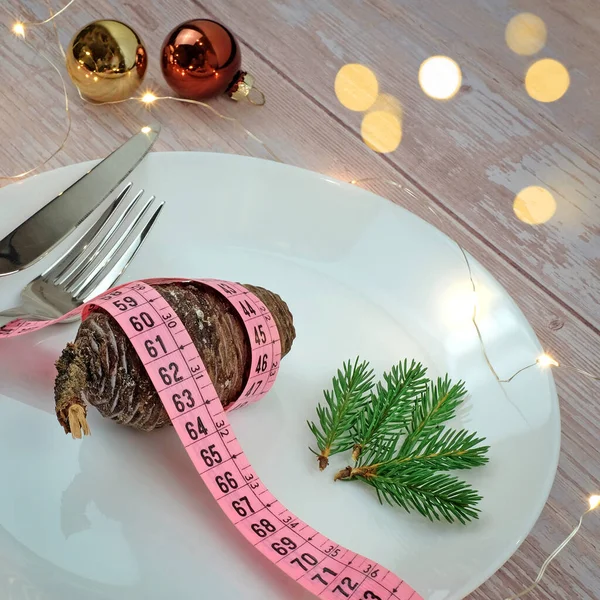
(107, 61)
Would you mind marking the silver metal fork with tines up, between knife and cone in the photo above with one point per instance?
(93, 264)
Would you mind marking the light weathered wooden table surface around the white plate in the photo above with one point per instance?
(466, 157)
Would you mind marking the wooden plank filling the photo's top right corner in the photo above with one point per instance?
(571, 28)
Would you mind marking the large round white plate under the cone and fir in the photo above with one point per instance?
(123, 515)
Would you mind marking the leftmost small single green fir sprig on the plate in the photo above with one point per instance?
(351, 390)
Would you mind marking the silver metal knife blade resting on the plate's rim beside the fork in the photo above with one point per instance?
(37, 236)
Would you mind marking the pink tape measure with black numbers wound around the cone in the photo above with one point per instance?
(175, 368)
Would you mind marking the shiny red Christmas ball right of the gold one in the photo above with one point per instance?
(201, 59)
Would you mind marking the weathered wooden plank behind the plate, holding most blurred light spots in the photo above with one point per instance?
(473, 153)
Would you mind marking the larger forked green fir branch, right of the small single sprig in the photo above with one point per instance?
(401, 445)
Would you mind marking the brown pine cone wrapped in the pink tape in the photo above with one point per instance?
(102, 368)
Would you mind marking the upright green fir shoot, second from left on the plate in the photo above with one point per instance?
(390, 406)
